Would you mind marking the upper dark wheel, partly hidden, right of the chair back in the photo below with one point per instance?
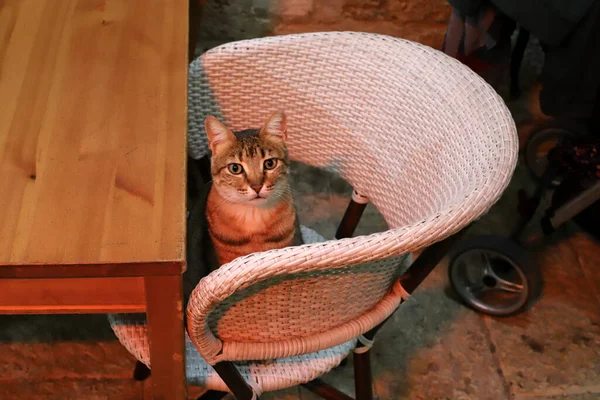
(543, 138)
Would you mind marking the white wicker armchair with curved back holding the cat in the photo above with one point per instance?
(419, 135)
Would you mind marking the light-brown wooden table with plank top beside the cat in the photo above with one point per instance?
(92, 164)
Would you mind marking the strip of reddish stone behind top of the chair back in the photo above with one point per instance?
(226, 20)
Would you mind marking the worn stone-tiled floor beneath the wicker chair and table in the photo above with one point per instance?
(433, 348)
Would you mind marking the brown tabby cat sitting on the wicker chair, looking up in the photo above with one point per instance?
(248, 206)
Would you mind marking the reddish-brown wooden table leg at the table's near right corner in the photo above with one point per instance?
(166, 334)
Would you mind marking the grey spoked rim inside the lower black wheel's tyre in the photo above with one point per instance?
(489, 281)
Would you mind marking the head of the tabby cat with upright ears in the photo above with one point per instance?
(250, 166)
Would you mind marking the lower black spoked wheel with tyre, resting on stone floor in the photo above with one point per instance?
(494, 276)
